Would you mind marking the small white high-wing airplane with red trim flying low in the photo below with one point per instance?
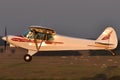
(38, 38)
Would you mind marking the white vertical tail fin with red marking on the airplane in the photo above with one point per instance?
(108, 38)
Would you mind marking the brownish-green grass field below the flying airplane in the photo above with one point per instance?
(58, 67)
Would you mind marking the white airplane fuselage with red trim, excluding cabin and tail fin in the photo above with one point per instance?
(58, 44)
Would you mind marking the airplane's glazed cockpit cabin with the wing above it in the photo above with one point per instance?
(39, 33)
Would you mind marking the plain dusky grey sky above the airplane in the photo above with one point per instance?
(76, 18)
